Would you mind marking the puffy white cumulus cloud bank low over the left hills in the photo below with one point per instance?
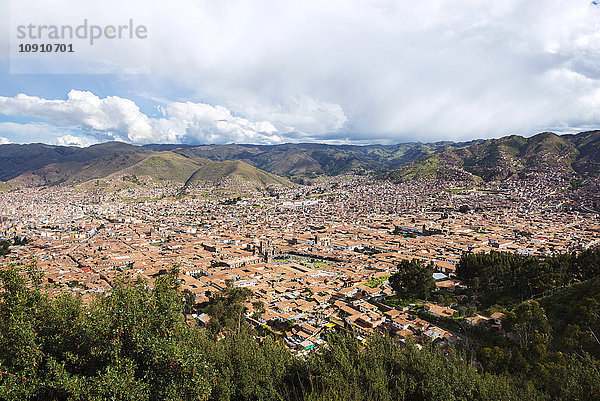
(115, 118)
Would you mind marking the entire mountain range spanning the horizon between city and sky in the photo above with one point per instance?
(576, 156)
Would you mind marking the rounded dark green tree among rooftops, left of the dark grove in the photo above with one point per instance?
(413, 280)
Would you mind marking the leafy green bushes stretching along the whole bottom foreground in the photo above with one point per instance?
(134, 344)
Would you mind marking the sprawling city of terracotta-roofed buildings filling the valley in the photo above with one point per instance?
(316, 257)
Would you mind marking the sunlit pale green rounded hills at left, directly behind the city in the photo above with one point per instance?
(127, 165)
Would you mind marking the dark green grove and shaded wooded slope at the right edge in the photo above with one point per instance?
(567, 287)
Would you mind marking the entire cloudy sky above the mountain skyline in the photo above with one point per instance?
(272, 71)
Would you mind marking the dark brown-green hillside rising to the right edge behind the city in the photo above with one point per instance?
(510, 156)
